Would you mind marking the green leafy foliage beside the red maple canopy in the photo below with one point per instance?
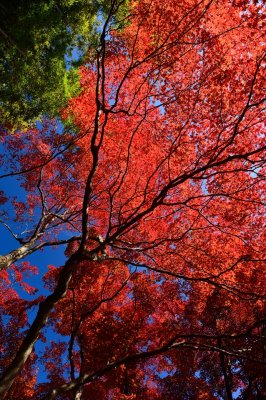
(35, 37)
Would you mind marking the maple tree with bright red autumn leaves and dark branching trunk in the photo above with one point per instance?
(158, 197)
